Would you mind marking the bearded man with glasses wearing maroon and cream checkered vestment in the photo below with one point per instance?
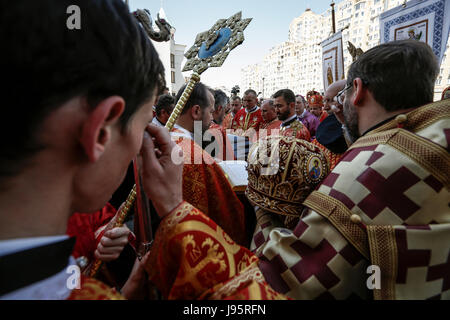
(386, 200)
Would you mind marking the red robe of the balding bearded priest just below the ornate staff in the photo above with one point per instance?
(206, 188)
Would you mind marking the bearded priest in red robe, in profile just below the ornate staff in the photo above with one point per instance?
(205, 185)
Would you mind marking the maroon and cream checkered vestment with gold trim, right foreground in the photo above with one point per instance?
(384, 204)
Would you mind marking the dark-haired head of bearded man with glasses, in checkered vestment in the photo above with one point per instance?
(377, 74)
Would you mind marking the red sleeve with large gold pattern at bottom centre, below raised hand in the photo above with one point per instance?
(193, 258)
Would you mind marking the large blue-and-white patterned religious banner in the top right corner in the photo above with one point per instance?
(422, 20)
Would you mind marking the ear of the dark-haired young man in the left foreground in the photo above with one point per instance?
(96, 130)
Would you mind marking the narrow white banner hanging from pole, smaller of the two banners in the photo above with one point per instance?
(332, 60)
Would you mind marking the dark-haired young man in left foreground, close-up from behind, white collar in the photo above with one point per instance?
(80, 101)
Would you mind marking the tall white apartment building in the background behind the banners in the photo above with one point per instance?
(296, 64)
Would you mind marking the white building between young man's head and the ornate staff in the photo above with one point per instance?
(171, 55)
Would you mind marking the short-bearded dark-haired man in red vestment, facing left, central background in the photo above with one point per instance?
(284, 103)
